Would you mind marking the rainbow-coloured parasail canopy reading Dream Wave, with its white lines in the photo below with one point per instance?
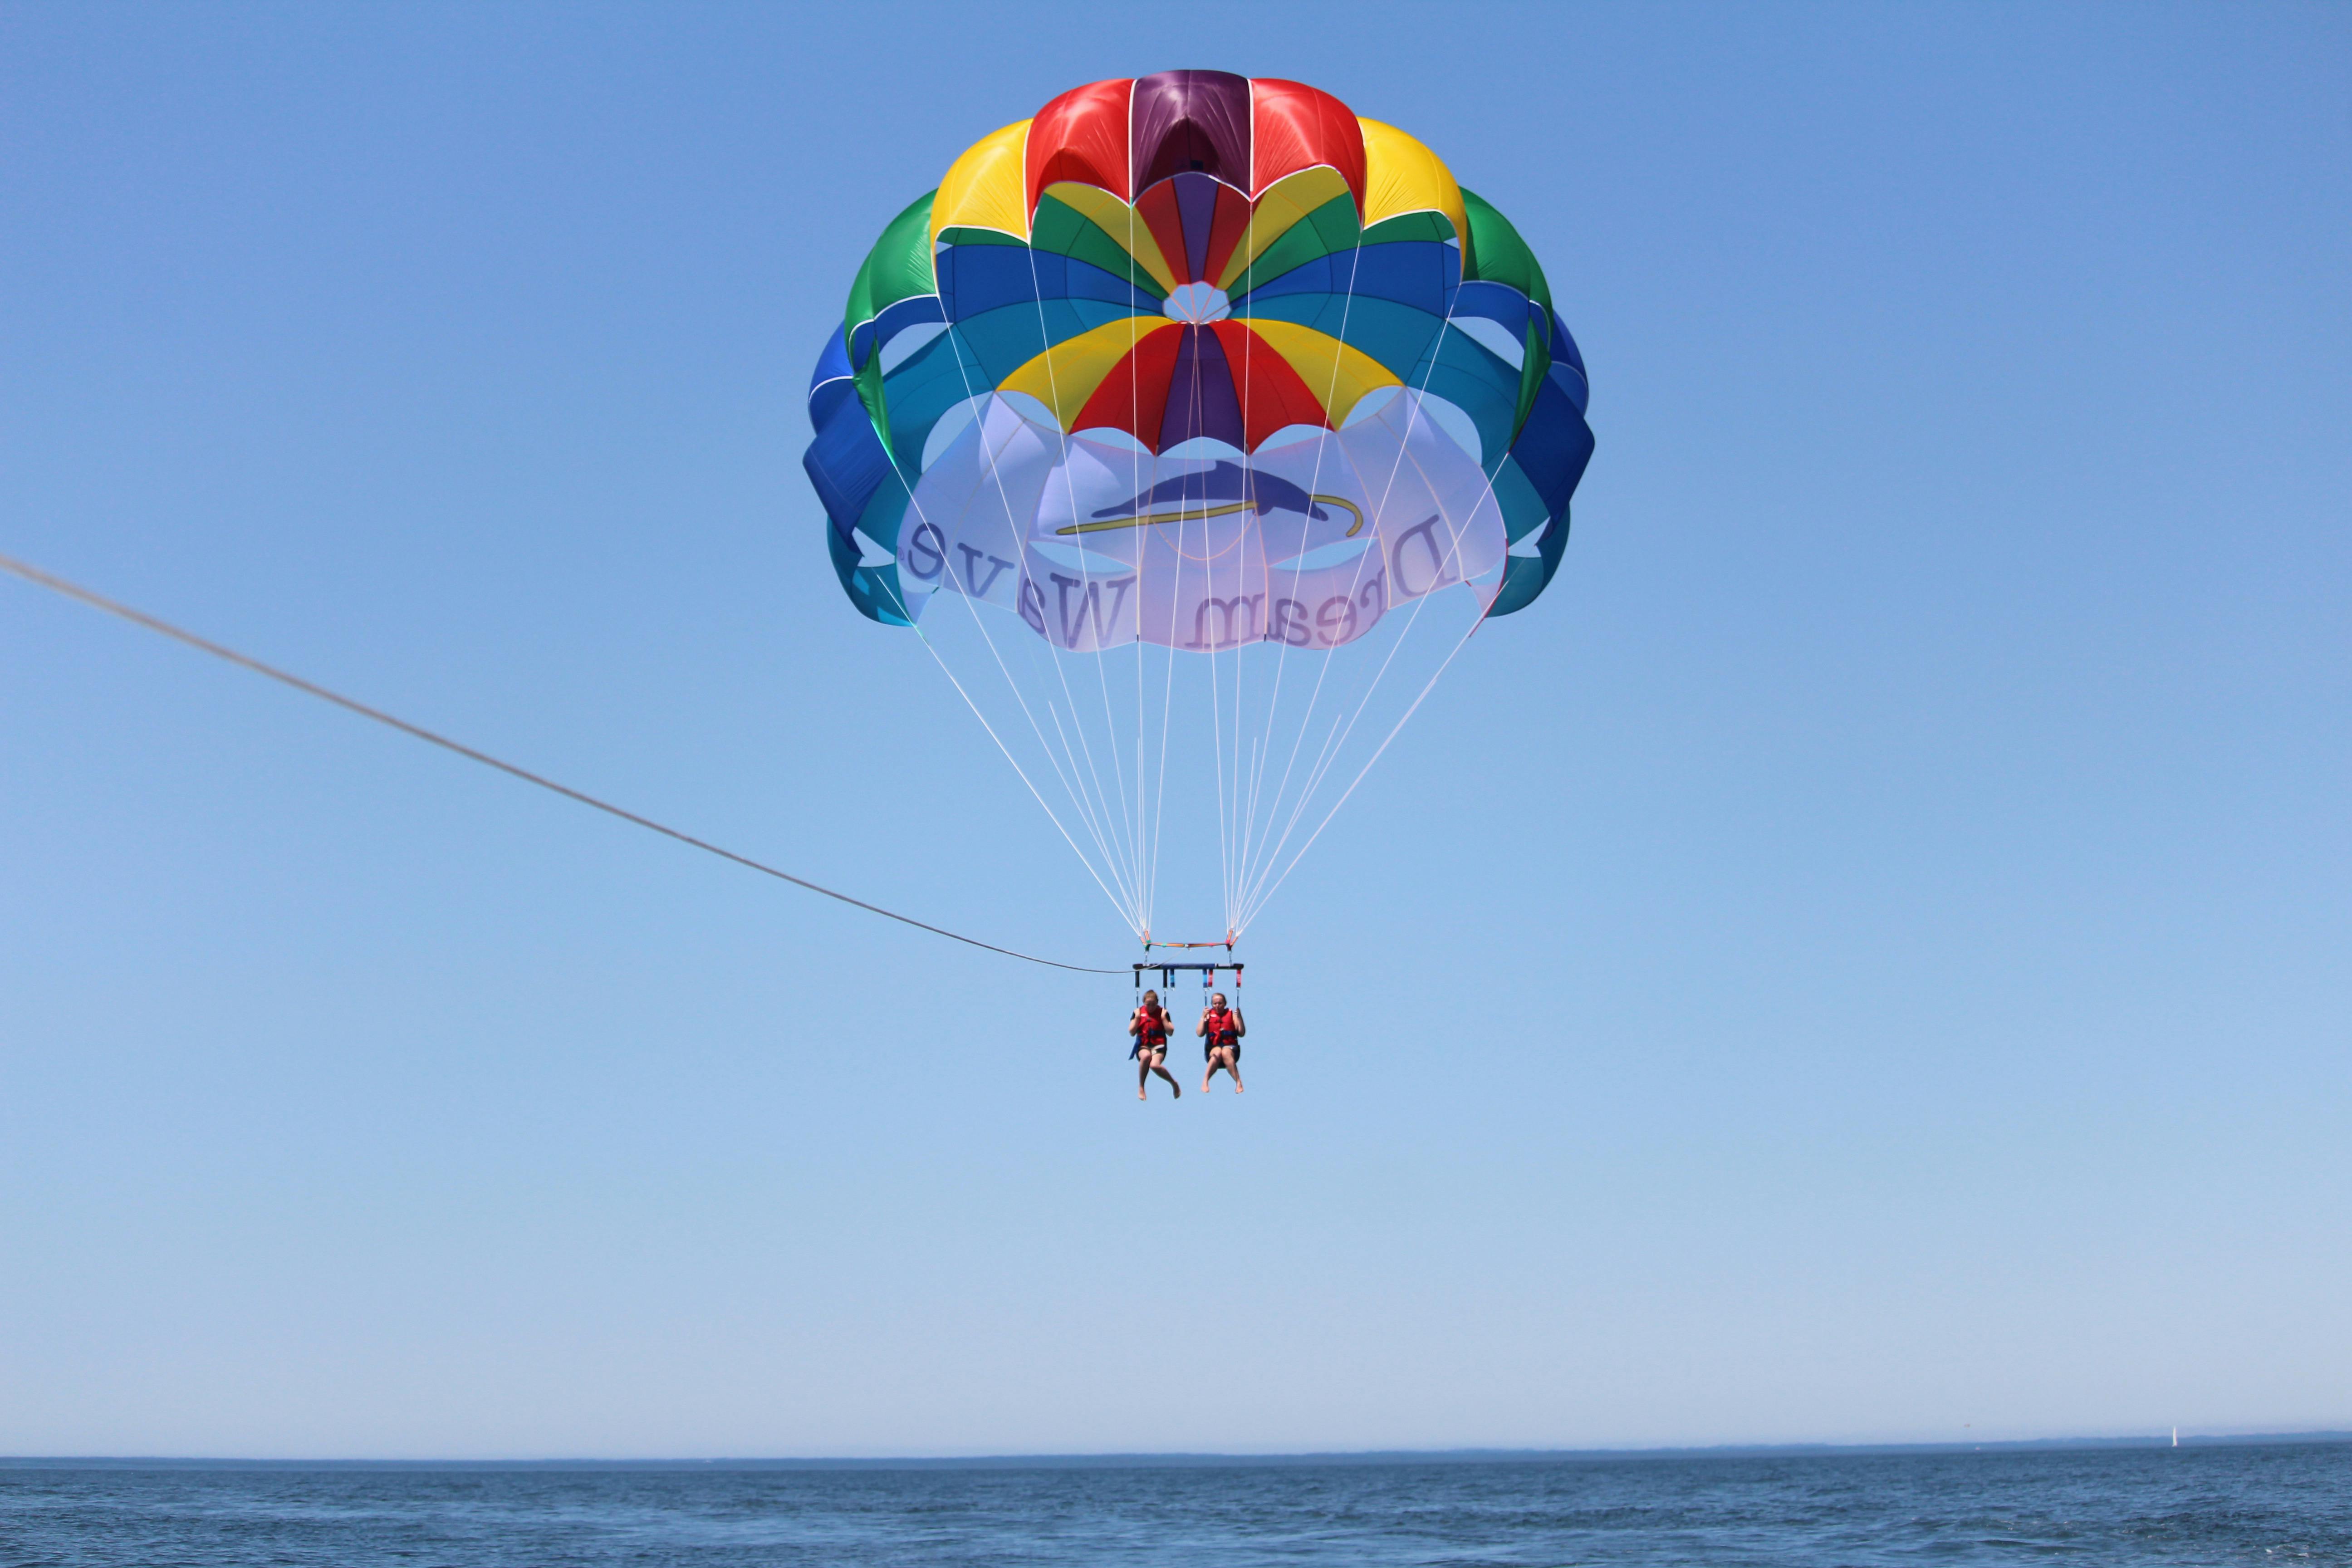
(1208, 366)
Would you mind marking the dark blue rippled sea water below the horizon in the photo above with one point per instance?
(2229, 1503)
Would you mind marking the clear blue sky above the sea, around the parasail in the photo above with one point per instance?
(1897, 984)
